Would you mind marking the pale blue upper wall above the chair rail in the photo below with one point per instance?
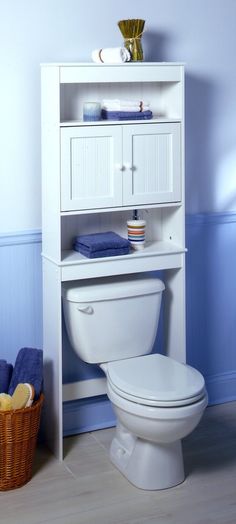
(200, 33)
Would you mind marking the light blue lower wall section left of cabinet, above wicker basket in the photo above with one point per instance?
(21, 293)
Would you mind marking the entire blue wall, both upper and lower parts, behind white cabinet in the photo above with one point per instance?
(203, 35)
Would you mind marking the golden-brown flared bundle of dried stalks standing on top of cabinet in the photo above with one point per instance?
(132, 31)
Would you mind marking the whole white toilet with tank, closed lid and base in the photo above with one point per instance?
(157, 400)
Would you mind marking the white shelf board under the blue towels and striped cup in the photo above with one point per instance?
(155, 256)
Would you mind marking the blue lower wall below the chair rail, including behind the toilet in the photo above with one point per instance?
(211, 307)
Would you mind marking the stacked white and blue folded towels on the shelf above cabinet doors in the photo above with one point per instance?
(116, 109)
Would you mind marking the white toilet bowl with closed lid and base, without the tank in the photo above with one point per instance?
(147, 445)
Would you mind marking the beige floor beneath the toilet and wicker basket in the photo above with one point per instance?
(87, 489)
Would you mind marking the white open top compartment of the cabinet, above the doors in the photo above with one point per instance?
(160, 86)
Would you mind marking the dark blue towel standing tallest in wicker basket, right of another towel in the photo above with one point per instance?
(28, 368)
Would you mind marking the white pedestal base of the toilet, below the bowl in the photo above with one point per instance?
(147, 465)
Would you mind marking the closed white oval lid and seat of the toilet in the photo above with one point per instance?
(156, 380)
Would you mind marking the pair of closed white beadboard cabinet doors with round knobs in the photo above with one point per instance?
(112, 166)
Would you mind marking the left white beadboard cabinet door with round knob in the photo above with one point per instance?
(91, 170)
